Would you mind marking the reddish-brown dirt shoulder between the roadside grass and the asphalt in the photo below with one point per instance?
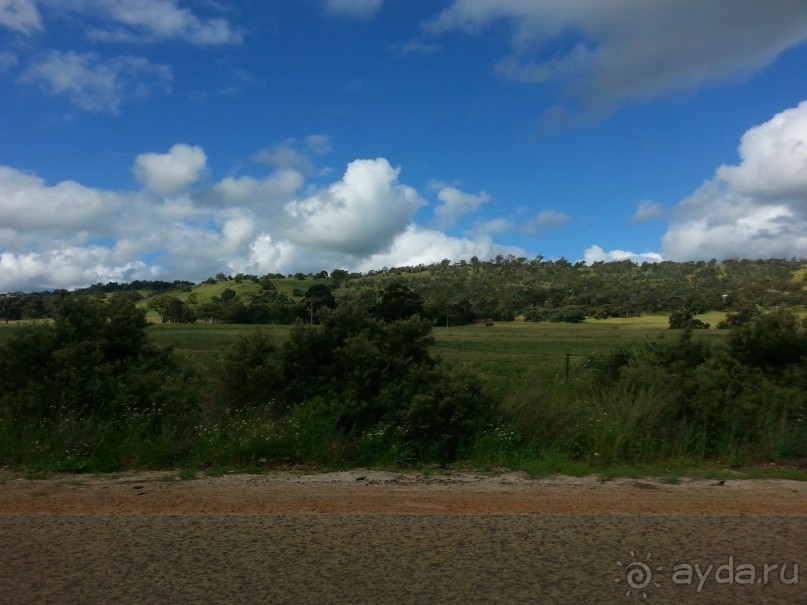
(370, 491)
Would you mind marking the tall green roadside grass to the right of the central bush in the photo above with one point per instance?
(581, 422)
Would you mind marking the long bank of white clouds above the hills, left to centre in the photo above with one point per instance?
(176, 226)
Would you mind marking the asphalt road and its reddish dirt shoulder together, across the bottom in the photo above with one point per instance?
(379, 537)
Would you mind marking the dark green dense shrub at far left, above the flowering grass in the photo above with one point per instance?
(94, 359)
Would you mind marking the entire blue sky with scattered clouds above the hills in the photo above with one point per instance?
(173, 139)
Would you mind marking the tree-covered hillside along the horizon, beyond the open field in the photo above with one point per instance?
(500, 289)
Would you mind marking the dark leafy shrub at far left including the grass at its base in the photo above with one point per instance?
(88, 391)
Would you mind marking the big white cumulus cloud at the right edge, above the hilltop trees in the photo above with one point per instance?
(757, 209)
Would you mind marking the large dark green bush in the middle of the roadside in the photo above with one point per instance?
(359, 376)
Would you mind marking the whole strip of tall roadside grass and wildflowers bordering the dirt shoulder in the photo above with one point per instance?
(549, 427)
